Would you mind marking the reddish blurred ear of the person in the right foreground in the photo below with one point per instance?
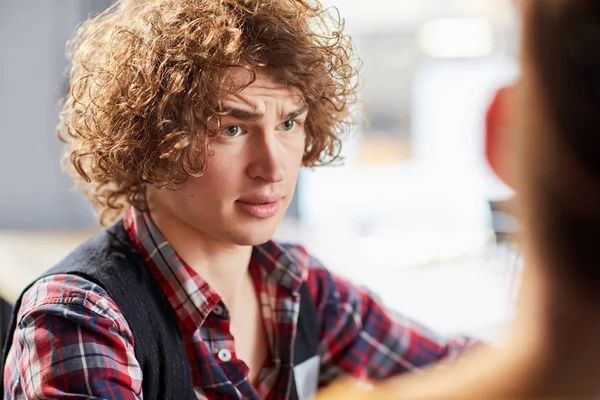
(498, 126)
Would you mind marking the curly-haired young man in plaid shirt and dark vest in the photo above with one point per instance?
(187, 124)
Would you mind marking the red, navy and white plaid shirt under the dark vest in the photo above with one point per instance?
(72, 341)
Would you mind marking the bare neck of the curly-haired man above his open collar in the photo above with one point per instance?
(223, 265)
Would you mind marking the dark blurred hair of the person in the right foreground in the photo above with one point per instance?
(563, 49)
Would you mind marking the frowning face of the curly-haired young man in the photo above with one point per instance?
(251, 173)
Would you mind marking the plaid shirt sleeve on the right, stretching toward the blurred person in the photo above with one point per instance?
(362, 339)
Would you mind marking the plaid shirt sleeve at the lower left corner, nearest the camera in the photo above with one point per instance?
(71, 341)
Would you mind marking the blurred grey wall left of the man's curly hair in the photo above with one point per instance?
(34, 192)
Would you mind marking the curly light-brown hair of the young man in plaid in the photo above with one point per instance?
(147, 77)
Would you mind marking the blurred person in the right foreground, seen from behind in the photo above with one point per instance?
(545, 142)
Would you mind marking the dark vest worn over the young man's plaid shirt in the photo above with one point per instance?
(110, 261)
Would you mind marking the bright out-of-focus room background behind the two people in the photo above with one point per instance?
(415, 213)
